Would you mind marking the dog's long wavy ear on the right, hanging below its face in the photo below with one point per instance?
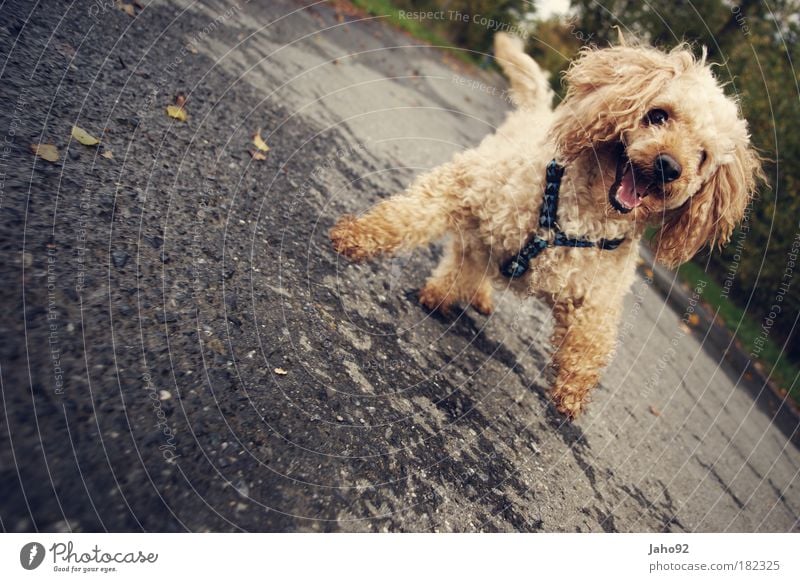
(710, 216)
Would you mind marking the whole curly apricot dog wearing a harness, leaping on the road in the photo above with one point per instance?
(556, 201)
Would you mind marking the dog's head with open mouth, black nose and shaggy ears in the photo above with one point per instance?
(673, 149)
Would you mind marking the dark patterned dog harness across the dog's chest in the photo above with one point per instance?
(518, 265)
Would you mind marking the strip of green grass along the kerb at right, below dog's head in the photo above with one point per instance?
(745, 328)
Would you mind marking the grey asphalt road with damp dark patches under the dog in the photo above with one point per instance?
(182, 350)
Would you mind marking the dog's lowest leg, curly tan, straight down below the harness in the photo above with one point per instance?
(583, 338)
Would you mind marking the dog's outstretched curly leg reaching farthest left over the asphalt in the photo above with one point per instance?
(416, 217)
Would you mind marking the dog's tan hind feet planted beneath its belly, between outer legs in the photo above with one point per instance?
(461, 276)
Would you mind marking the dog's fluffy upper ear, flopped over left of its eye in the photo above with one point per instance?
(608, 92)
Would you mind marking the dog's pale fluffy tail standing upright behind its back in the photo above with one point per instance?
(529, 86)
